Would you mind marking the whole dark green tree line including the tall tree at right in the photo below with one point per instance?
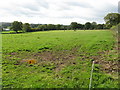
(111, 19)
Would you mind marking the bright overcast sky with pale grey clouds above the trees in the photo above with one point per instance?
(56, 11)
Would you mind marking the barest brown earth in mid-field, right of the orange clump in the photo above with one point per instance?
(60, 59)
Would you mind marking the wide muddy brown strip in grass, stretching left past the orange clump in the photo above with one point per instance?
(58, 58)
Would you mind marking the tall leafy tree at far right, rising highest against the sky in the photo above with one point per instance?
(112, 18)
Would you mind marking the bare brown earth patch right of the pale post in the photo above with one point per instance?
(108, 66)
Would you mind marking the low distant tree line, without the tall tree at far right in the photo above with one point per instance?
(26, 27)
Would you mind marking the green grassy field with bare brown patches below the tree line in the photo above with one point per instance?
(62, 59)
